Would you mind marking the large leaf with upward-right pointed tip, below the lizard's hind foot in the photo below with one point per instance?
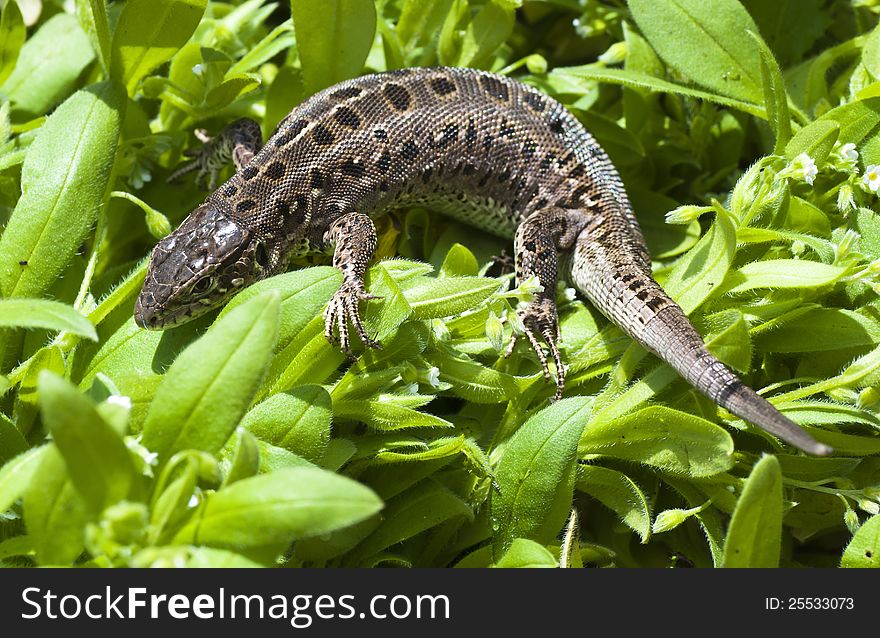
(536, 473)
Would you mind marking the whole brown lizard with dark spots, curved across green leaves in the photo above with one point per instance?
(484, 149)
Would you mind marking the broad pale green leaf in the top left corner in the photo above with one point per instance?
(49, 65)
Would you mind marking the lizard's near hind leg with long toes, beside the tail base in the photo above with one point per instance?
(537, 244)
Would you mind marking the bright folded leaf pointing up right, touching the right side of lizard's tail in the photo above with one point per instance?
(701, 270)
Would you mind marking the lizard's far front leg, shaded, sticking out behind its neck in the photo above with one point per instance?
(238, 143)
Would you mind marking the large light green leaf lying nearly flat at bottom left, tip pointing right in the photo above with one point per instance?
(279, 507)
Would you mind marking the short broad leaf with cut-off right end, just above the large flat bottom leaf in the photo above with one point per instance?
(297, 420)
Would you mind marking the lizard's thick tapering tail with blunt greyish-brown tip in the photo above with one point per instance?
(624, 291)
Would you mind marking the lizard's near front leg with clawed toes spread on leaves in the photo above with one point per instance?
(353, 237)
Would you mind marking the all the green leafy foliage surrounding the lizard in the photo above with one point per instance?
(747, 135)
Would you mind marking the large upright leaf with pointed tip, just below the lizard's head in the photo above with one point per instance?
(211, 384)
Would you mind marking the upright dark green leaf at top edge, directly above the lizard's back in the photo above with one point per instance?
(333, 38)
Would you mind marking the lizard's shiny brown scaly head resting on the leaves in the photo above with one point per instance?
(199, 266)
